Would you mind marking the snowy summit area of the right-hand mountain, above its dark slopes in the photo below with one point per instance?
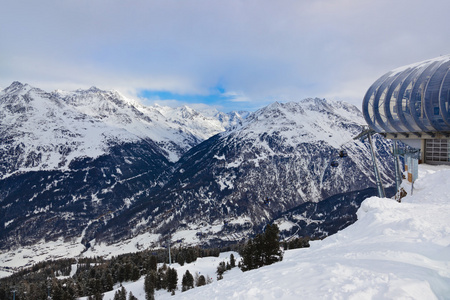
(309, 120)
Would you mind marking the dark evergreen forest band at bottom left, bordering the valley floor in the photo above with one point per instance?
(93, 276)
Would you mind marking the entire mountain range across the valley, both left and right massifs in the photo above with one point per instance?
(88, 168)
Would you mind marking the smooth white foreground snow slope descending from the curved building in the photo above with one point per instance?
(394, 251)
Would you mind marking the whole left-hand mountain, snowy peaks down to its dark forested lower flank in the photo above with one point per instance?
(70, 158)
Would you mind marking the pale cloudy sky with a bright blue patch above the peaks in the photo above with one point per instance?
(234, 54)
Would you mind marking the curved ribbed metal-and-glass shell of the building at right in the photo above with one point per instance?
(411, 99)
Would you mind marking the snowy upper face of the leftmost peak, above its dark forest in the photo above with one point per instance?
(39, 131)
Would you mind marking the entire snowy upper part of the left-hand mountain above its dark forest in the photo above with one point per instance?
(46, 131)
